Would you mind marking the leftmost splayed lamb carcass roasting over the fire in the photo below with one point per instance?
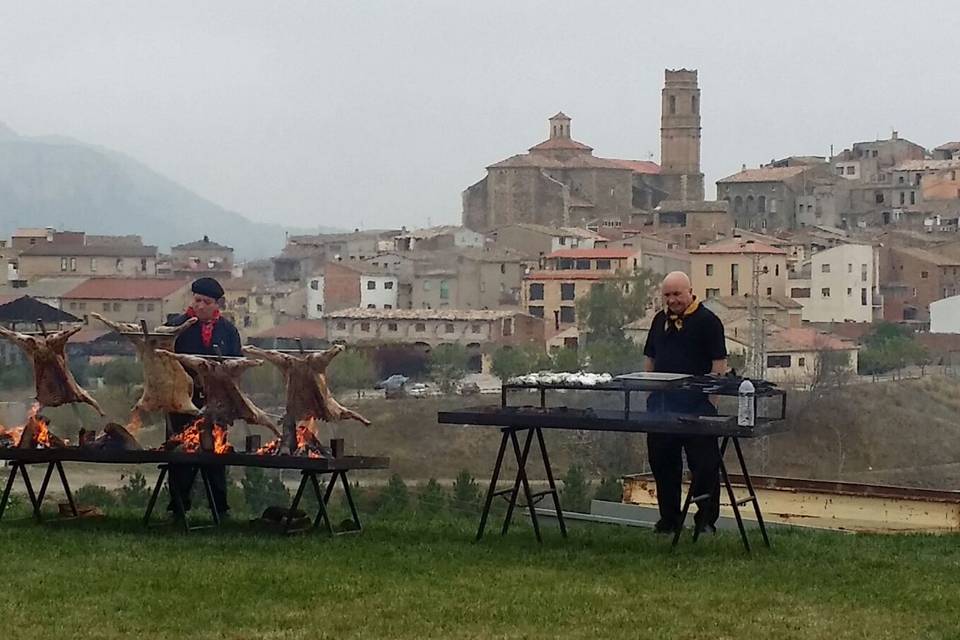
(51, 371)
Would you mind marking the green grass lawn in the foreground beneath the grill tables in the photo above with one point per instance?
(407, 579)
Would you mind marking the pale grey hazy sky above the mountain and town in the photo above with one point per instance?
(380, 113)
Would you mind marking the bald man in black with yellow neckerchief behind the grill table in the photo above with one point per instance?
(686, 337)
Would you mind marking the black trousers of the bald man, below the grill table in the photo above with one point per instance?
(666, 462)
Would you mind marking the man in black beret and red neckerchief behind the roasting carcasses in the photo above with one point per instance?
(211, 335)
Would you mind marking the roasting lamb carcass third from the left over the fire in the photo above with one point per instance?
(220, 380)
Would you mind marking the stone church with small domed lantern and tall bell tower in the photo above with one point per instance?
(559, 182)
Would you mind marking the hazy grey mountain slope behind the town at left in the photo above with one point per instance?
(59, 182)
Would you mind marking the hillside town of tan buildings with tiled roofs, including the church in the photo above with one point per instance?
(817, 250)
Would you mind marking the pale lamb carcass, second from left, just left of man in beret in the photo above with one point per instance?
(166, 384)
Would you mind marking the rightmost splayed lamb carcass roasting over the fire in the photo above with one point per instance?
(308, 395)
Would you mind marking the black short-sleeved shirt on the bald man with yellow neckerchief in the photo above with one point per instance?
(691, 349)
